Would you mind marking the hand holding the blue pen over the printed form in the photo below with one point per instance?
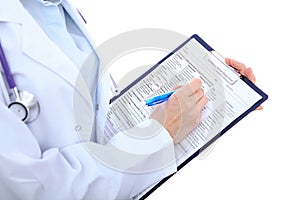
(181, 113)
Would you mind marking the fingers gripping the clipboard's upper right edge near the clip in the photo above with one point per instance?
(243, 70)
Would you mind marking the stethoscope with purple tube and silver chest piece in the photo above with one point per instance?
(23, 103)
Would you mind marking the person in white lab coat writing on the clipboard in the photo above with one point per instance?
(42, 155)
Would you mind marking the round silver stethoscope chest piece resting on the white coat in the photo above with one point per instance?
(25, 106)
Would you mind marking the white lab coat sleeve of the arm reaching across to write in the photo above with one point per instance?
(74, 171)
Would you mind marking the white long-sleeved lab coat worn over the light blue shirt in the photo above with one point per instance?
(47, 159)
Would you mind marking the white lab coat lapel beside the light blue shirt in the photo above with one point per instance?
(40, 48)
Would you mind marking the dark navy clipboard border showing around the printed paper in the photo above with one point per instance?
(262, 97)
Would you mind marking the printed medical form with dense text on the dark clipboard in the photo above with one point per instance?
(230, 96)
